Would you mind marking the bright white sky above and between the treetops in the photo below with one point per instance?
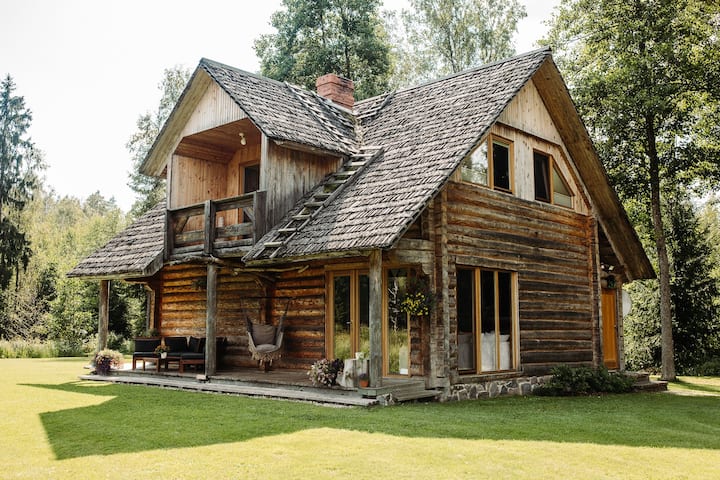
(89, 68)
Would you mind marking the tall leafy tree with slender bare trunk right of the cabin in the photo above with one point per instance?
(641, 74)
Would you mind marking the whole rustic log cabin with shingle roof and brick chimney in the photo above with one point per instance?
(480, 195)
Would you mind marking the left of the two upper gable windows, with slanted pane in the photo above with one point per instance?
(490, 164)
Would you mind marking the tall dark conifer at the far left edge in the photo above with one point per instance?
(19, 164)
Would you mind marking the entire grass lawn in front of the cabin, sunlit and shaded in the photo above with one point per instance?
(55, 426)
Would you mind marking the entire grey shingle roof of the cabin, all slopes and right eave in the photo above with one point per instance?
(422, 134)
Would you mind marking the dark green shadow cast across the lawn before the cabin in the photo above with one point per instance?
(137, 418)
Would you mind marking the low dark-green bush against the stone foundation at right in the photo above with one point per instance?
(568, 381)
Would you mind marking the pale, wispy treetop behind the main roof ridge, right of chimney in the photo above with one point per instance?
(440, 37)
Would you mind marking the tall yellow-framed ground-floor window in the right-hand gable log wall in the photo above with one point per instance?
(487, 320)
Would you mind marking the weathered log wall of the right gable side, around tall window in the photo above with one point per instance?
(550, 249)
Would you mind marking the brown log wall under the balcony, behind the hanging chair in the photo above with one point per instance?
(243, 295)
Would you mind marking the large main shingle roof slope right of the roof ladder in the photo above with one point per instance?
(425, 132)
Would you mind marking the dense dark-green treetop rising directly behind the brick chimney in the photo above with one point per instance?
(315, 37)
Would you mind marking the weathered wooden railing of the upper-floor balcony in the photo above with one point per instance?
(220, 228)
